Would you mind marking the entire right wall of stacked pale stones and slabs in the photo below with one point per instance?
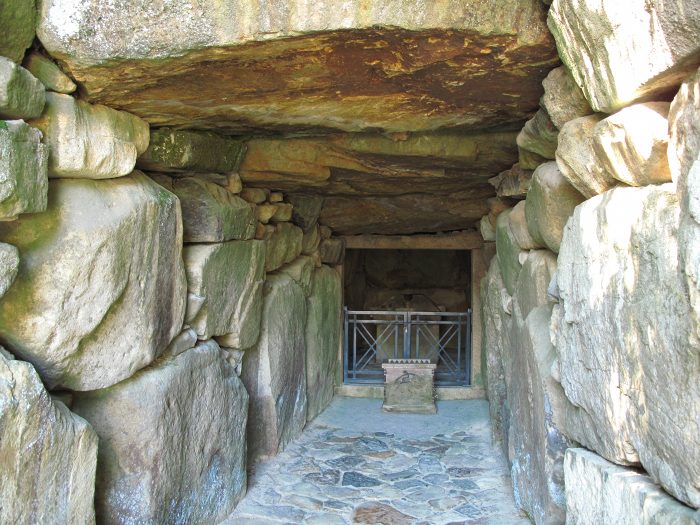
(605, 351)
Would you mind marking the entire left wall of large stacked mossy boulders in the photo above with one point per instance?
(106, 287)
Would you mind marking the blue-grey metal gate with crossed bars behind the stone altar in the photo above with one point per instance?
(372, 337)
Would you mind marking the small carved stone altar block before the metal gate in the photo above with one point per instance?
(408, 386)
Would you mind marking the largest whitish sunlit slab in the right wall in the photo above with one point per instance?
(628, 357)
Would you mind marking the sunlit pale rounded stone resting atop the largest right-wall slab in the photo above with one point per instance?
(631, 145)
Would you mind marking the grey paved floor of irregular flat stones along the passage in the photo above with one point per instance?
(356, 464)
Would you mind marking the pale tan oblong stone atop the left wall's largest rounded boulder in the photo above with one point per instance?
(92, 142)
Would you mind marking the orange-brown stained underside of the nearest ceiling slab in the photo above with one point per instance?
(353, 80)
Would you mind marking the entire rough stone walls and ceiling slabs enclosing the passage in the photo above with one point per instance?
(170, 289)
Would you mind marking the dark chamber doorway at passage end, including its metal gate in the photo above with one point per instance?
(407, 304)
